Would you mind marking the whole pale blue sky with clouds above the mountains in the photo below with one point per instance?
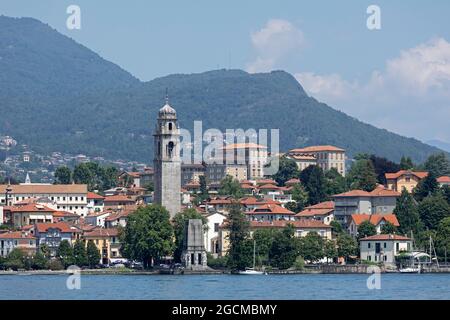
(396, 78)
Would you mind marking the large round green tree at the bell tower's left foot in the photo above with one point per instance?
(148, 235)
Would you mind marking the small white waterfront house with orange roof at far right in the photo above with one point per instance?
(384, 248)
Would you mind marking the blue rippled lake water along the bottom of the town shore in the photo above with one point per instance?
(226, 287)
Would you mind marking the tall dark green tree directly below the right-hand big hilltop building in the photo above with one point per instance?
(314, 181)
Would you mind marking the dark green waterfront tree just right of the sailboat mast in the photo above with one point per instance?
(284, 249)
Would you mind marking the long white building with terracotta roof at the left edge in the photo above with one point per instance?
(66, 197)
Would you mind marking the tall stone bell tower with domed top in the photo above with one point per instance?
(167, 162)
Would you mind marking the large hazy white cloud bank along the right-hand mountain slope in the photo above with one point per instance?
(410, 96)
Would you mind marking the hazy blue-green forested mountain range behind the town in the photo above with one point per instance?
(57, 95)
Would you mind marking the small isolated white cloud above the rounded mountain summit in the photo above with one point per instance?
(274, 42)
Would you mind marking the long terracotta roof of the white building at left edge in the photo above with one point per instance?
(45, 188)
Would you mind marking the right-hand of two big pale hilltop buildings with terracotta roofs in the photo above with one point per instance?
(326, 157)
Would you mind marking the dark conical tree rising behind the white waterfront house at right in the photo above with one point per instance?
(407, 214)
